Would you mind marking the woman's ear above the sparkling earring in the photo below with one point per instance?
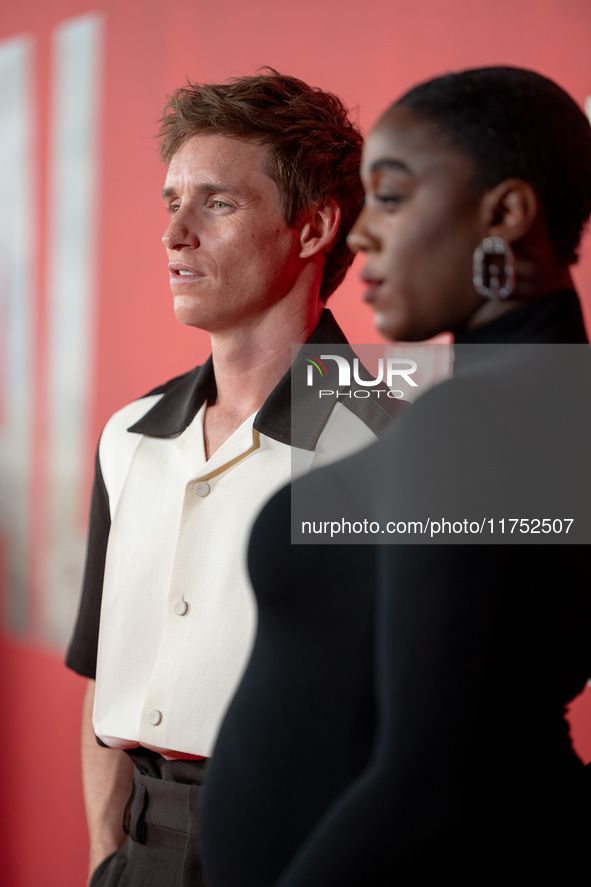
(510, 210)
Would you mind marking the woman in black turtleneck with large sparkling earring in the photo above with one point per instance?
(461, 656)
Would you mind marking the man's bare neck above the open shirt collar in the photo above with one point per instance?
(249, 362)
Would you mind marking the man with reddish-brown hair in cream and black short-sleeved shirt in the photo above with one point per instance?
(261, 187)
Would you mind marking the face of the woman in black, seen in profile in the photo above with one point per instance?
(422, 219)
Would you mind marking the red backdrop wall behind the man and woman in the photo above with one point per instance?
(367, 53)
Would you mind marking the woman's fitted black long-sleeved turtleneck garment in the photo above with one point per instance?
(402, 715)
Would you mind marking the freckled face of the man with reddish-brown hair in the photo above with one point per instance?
(231, 255)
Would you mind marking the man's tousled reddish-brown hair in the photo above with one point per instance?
(313, 148)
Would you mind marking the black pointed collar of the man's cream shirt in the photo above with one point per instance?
(183, 397)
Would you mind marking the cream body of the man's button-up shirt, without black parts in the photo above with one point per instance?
(178, 613)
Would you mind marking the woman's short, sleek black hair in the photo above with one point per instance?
(514, 123)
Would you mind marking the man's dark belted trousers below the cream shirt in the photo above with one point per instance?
(161, 848)
